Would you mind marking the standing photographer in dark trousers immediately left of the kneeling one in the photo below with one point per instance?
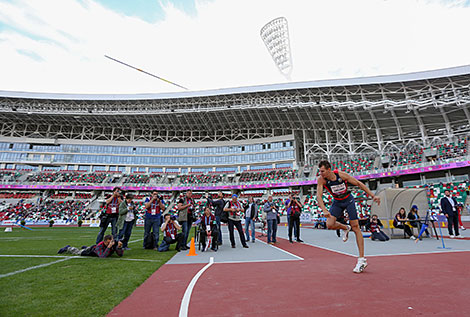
(154, 207)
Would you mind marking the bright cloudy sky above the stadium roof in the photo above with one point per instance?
(59, 45)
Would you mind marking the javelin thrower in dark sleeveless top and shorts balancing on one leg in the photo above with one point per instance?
(337, 185)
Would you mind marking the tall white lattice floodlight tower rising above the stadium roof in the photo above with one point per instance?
(275, 35)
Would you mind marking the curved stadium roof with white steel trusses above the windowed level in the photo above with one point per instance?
(344, 115)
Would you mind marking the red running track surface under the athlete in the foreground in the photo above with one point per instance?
(321, 285)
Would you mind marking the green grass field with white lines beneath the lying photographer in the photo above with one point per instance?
(77, 286)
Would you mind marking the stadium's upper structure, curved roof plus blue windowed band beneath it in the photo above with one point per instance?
(273, 126)
